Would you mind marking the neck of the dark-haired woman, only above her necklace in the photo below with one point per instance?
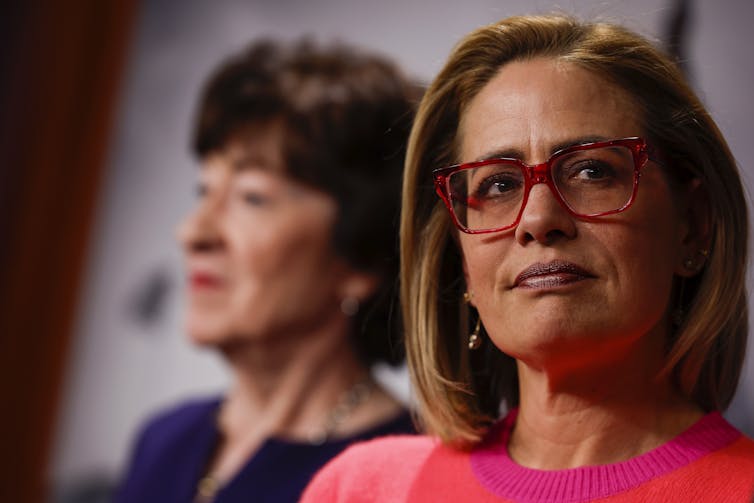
(286, 385)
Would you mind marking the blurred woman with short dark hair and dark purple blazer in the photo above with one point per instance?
(291, 256)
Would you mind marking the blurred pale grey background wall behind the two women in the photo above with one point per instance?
(129, 357)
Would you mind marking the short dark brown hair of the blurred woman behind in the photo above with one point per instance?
(345, 116)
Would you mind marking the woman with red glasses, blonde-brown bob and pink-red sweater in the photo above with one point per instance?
(574, 299)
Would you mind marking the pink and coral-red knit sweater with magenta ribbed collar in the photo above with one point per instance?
(709, 462)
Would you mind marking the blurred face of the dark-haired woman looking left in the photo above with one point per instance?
(258, 248)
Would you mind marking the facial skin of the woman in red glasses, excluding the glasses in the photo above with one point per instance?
(557, 289)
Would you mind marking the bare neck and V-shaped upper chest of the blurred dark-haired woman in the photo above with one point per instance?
(287, 387)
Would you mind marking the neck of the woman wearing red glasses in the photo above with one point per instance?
(597, 414)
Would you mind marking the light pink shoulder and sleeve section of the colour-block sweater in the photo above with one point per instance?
(375, 471)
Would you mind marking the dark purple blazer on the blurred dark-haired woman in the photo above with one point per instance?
(172, 451)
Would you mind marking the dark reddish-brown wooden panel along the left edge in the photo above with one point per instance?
(61, 65)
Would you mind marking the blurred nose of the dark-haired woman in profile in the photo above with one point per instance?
(200, 229)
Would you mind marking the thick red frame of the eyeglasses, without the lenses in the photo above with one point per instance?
(542, 173)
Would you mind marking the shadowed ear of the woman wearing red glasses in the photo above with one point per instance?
(696, 233)
